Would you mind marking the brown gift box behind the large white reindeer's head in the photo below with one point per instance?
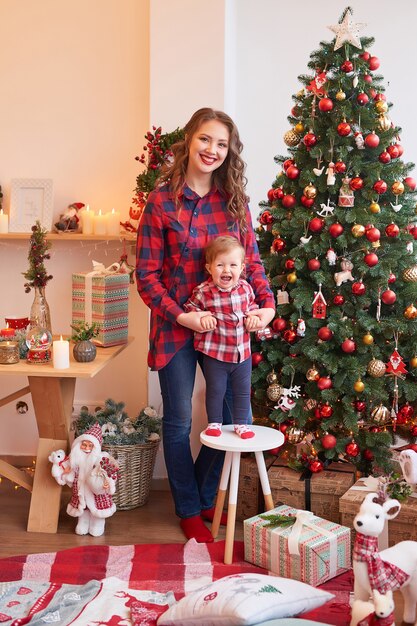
(401, 528)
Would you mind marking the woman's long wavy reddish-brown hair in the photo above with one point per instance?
(229, 177)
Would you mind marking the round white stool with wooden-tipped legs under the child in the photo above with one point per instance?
(265, 439)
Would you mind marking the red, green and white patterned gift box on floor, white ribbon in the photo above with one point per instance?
(313, 550)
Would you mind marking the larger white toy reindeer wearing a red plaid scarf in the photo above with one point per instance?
(391, 569)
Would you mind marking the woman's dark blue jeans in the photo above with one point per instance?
(193, 484)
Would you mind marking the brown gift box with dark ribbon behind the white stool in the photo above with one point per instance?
(318, 493)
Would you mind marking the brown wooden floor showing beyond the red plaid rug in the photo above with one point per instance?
(155, 522)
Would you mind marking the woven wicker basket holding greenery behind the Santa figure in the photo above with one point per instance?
(136, 463)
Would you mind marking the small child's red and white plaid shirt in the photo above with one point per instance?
(229, 341)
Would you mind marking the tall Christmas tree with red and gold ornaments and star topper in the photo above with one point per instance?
(337, 368)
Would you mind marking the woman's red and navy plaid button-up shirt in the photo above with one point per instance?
(170, 261)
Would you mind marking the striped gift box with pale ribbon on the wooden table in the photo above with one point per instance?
(104, 299)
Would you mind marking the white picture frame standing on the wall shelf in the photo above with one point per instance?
(31, 199)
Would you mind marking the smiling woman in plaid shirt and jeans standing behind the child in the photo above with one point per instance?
(201, 195)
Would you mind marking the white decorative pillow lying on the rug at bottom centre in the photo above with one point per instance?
(242, 600)
